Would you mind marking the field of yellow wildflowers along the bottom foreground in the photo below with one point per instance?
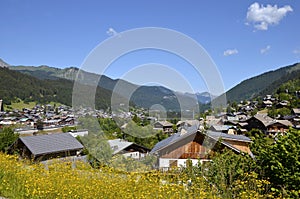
(20, 179)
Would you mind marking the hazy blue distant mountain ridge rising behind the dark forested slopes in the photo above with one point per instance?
(154, 94)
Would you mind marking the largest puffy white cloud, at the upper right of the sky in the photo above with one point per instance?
(263, 16)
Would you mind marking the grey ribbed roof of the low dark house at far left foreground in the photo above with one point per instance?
(46, 144)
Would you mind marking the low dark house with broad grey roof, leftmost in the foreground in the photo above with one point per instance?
(44, 147)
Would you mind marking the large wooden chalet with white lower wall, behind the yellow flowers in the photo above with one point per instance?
(196, 146)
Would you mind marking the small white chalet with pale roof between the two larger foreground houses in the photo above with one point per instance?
(128, 149)
